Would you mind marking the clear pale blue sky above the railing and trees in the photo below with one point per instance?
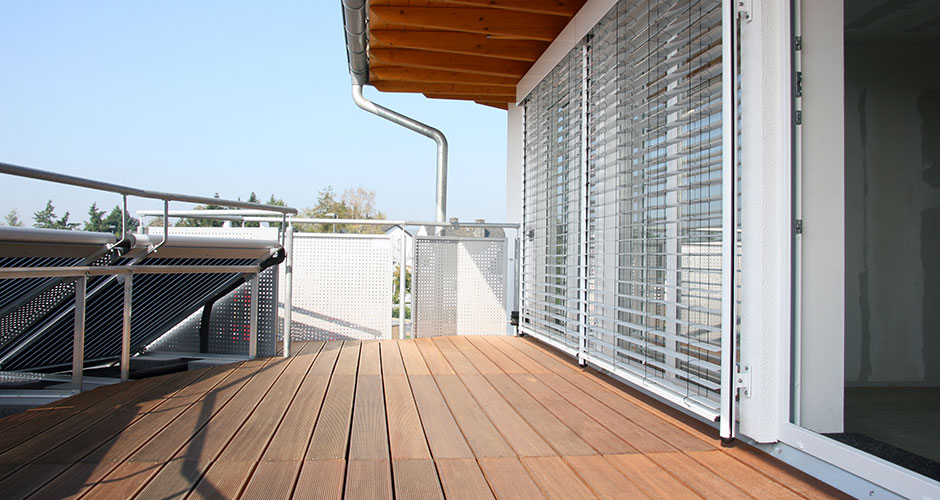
(223, 96)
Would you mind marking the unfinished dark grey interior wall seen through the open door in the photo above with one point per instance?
(892, 213)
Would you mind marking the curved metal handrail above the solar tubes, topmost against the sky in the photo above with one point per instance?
(43, 175)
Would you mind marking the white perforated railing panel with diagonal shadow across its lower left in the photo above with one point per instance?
(342, 287)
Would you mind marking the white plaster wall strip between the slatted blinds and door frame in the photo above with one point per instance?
(766, 215)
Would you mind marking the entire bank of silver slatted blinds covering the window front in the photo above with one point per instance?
(623, 210)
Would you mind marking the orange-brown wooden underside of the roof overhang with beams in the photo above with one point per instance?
(474, 50)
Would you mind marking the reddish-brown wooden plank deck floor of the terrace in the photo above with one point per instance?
(452, 417)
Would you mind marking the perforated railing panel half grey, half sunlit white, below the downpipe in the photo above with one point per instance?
(459, 286)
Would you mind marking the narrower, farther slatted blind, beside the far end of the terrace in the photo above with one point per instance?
(550, 238)
